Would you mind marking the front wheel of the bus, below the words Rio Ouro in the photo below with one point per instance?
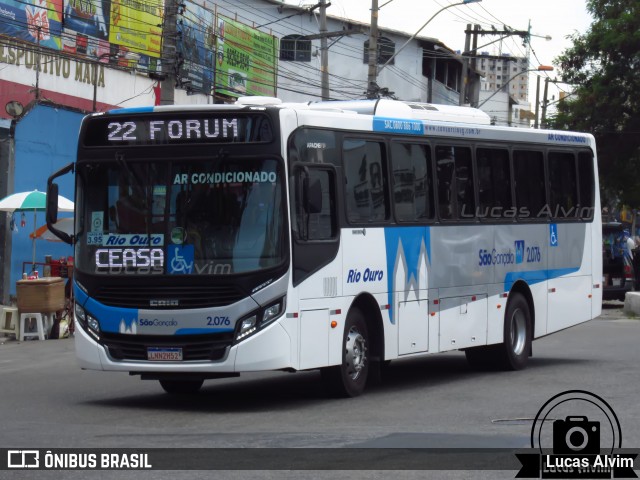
(350, 378)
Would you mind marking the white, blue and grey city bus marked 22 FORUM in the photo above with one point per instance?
(219, 239)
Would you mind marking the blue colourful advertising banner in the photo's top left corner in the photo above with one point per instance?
(37, 21)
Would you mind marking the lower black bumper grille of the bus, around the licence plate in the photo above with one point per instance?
(194, 347)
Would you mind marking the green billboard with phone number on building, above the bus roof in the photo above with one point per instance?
(245, 60)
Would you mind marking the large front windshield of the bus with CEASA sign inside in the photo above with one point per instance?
(198, 217)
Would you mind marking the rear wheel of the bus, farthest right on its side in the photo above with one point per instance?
(513, 353)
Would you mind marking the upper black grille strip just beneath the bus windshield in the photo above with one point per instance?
(131, 296)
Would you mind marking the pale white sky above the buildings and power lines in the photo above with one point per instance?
(555, 18)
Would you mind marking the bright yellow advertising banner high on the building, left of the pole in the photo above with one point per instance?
(137, 25)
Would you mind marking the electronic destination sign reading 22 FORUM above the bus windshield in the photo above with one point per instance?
(118, 130)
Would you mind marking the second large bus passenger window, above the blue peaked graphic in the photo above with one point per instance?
(412, 184)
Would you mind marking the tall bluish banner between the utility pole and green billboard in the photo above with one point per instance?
(196, 45)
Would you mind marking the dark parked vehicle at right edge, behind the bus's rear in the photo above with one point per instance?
(617, 269)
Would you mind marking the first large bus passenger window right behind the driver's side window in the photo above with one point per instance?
(366, 188)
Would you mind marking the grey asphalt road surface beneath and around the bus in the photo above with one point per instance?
(434, 402)
